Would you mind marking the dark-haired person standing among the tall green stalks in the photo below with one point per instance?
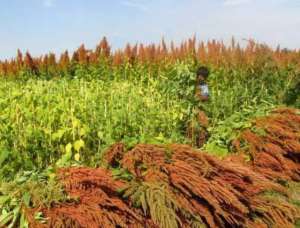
(202, 95)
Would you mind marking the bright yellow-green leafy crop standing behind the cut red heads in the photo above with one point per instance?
(44, 120)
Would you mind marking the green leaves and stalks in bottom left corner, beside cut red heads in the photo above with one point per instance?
(28, 190)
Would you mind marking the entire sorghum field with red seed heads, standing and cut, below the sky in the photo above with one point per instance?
(102, 138)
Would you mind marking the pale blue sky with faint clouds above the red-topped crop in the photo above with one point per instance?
(55, 25)
